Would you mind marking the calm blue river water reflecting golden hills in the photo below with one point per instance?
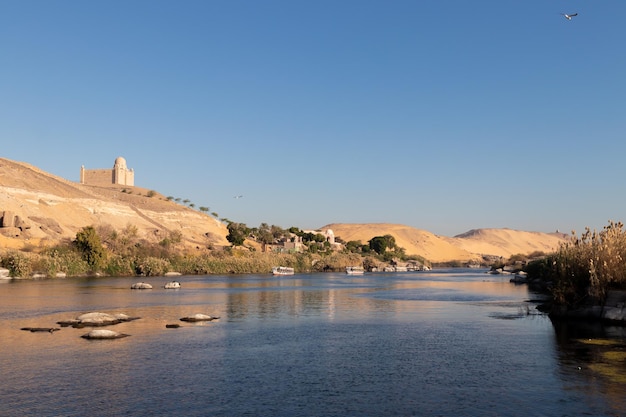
(439, 343)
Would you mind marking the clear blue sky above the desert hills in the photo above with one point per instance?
(445, 115)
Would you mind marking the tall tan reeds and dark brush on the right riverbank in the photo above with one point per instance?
(584, 269)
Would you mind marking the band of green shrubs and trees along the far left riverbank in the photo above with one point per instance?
(107, 251)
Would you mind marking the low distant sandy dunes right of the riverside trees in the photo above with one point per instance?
(469, 246)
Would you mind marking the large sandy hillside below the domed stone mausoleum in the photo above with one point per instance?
(44, 208)
